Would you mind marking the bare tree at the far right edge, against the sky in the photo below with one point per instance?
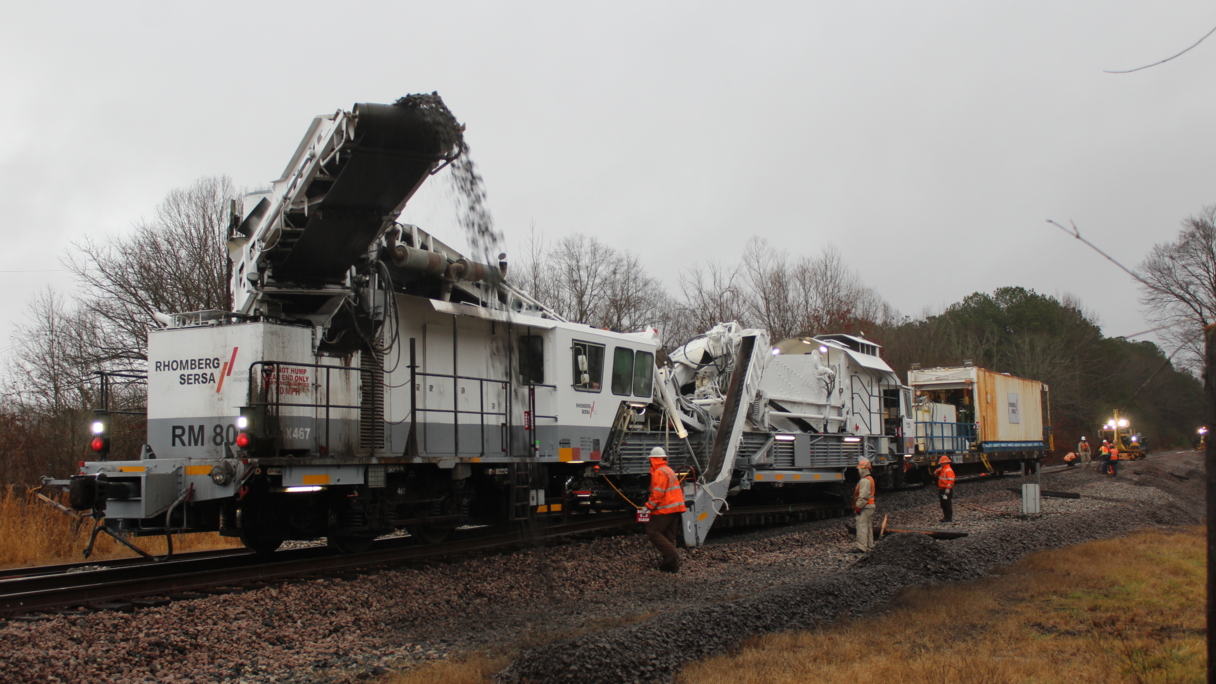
(1180, 284)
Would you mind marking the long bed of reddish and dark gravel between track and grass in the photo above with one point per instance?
(593, 610)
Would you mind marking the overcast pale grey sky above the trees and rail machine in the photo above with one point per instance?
(930, 142)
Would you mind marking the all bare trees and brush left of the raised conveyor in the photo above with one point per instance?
(176, 262)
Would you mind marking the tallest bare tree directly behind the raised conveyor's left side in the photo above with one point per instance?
(176, 262)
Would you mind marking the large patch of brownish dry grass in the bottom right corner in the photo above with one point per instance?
(1127, 610)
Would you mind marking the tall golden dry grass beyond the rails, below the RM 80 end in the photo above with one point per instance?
(33, 532)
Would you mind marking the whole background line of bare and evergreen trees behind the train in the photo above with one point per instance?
(178, 262)
